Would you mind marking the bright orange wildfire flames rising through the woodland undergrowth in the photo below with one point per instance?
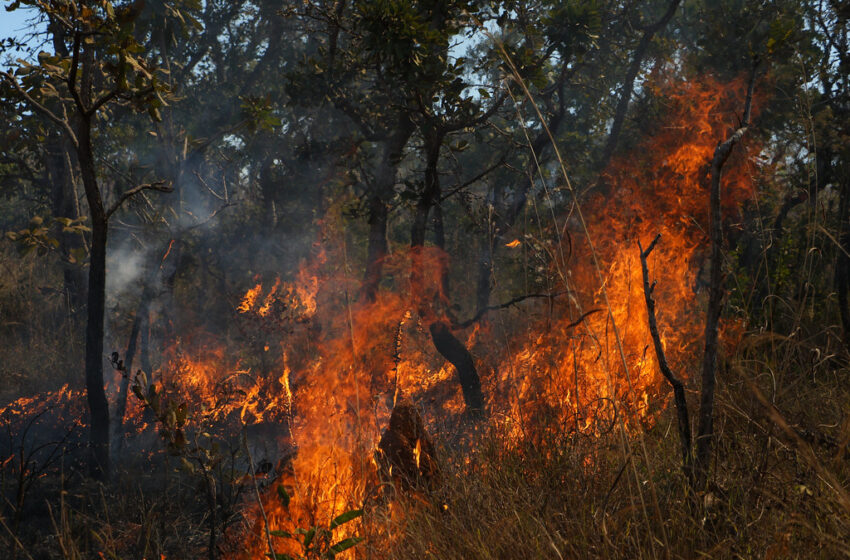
(580, 363)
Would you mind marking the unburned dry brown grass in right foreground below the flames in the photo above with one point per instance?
(570, 497)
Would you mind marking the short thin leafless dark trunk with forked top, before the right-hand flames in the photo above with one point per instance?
(675, 382)
